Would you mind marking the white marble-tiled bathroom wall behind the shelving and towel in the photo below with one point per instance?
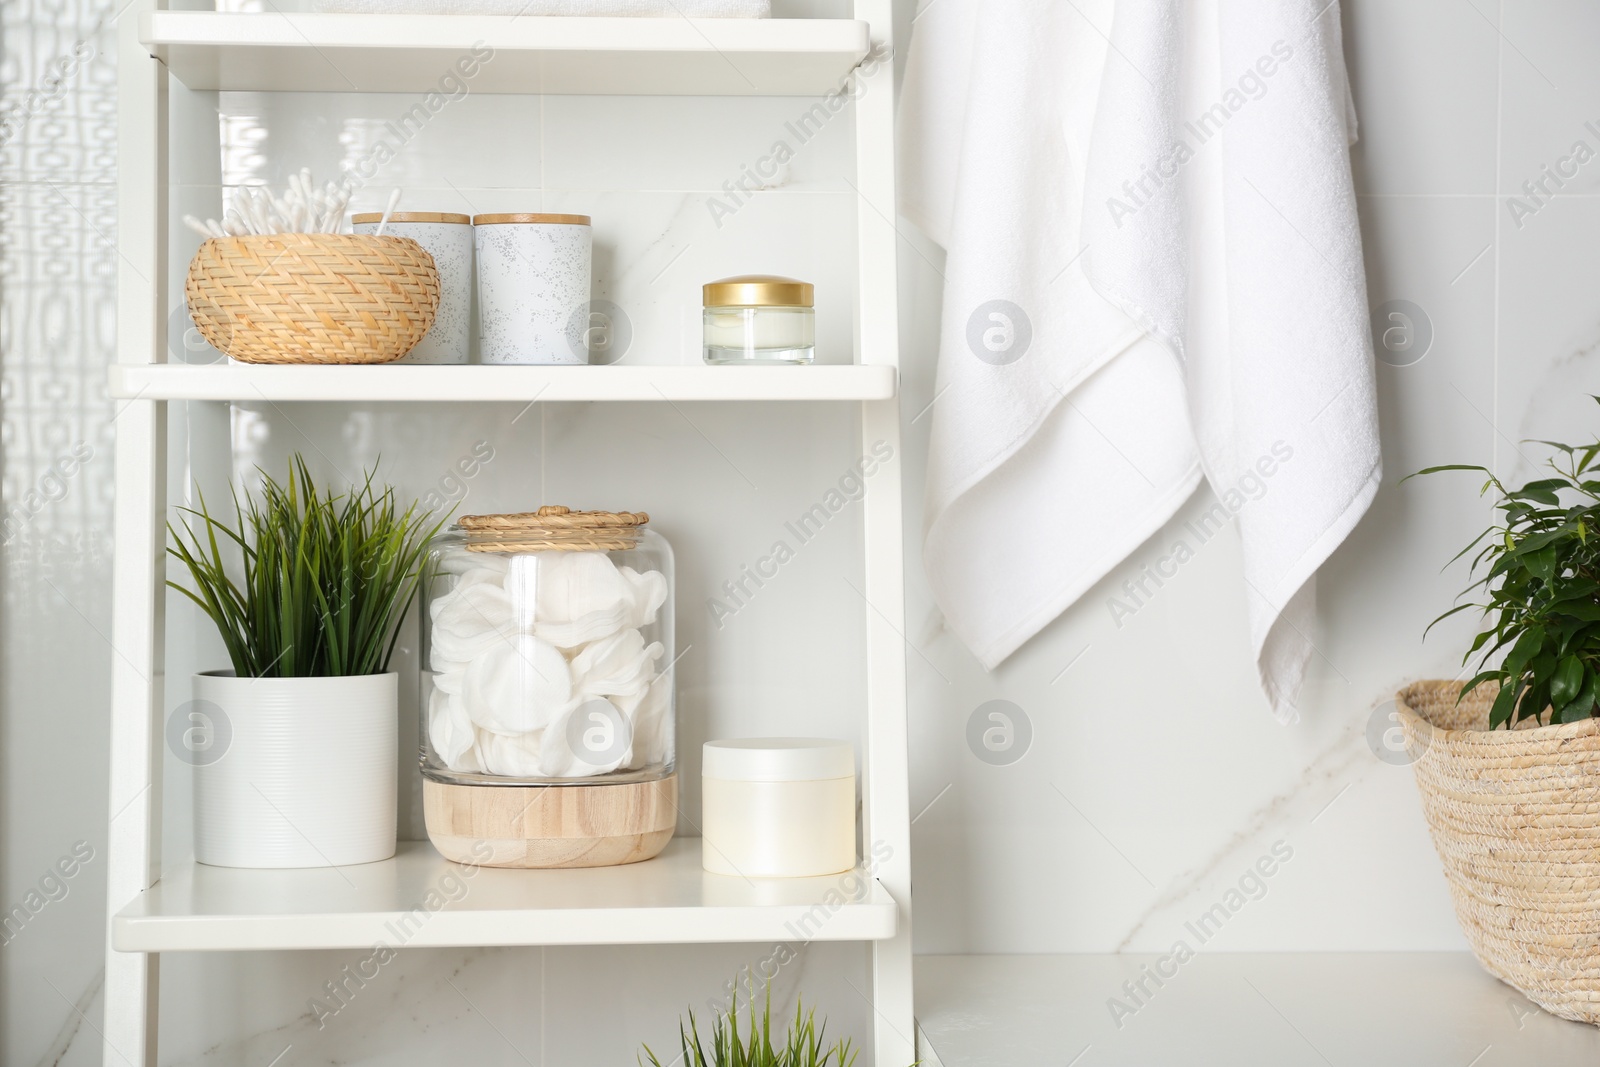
(1154, 775)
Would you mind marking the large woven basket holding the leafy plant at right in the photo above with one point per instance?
(1516, 818)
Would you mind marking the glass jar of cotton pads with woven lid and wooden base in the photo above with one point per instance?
(546, 692)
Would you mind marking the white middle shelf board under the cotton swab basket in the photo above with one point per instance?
(385, 383)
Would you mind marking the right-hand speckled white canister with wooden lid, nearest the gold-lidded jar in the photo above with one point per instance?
(534, 287)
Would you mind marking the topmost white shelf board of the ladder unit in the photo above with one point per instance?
(412, 54)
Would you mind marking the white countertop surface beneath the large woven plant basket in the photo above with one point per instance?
(1278, 1010)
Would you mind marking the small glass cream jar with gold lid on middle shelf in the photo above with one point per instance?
(759, 319)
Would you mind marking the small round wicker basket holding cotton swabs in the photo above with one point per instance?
(313, 298)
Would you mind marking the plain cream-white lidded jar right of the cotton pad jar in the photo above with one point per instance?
(778, 807)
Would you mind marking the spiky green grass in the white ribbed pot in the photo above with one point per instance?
(326, 578)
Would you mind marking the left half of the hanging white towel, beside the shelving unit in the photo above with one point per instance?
(1060, 434)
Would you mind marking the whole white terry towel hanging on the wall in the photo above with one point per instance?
(1172, 230)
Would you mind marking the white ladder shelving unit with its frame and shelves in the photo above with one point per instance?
(196, 908)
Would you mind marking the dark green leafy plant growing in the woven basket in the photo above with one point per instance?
(1542, 580)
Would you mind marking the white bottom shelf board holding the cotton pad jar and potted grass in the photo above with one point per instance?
(420, 900)
